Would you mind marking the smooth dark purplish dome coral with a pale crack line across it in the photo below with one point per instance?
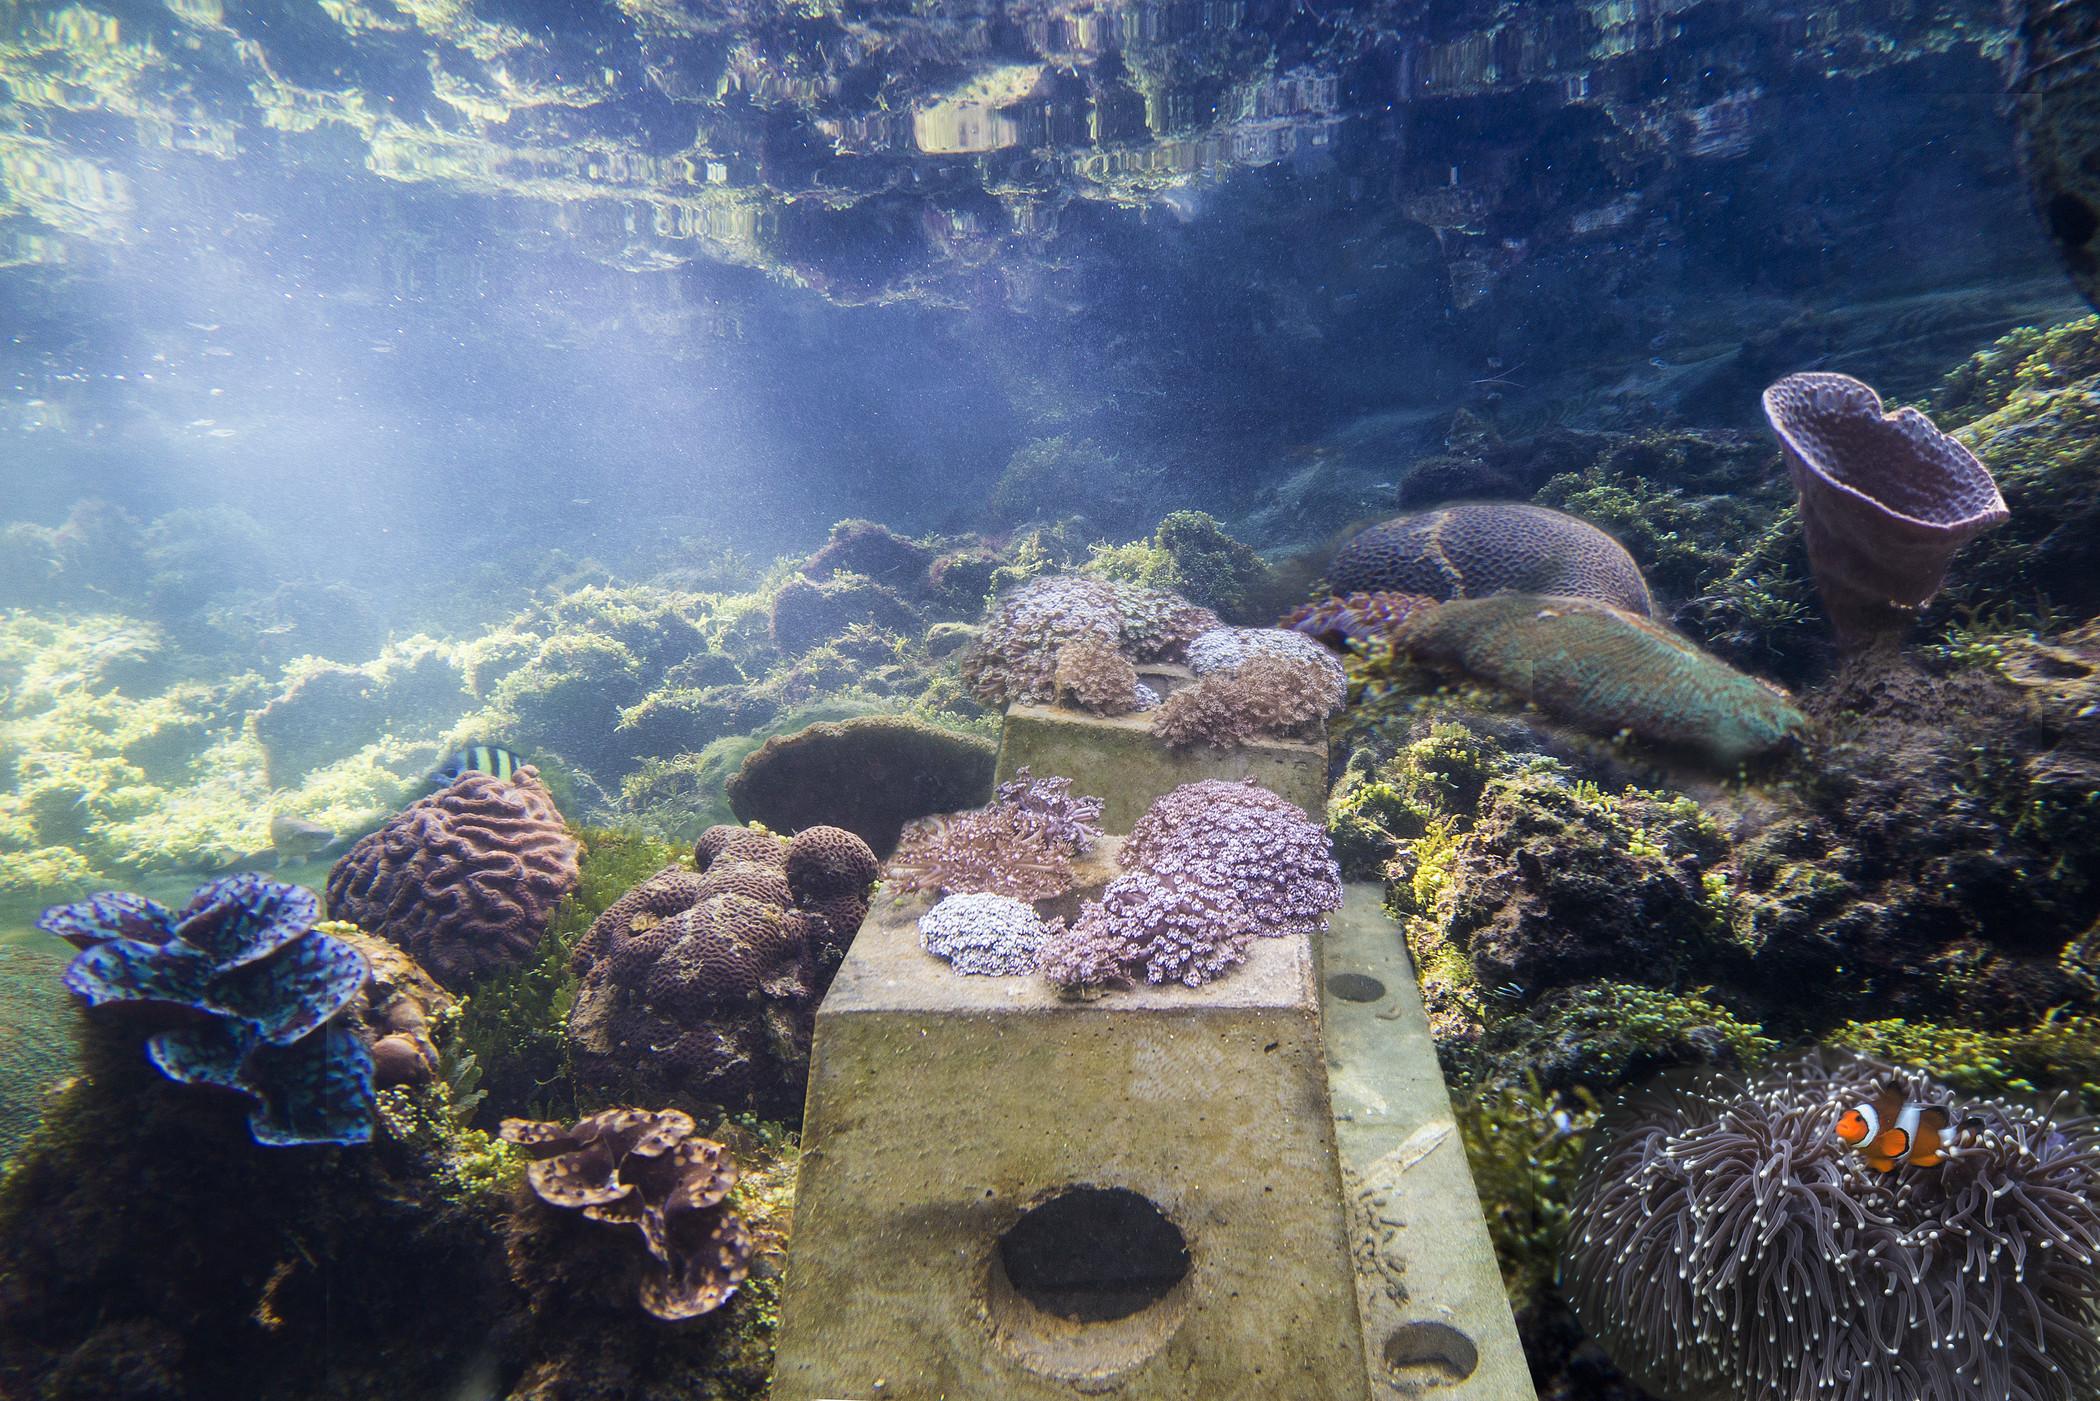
(1479, 549)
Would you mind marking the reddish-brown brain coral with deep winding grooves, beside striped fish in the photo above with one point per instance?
(465, 879)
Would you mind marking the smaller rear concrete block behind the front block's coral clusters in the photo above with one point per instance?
(1116, 759)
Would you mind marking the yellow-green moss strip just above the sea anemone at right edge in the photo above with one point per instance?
(2057, 1053)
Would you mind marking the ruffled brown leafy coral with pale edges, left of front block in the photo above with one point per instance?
(635, 1169)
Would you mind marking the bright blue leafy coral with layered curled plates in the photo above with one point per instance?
(251, 992)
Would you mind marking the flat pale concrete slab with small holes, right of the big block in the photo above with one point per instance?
(1435, 1318)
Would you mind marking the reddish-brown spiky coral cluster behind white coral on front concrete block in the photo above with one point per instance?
(1022, 845)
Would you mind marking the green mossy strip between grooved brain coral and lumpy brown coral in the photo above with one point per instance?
(513, 1024)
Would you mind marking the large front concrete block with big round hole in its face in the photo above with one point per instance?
(1015, 1198)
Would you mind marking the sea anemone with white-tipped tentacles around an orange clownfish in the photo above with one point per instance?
(1725, 1245)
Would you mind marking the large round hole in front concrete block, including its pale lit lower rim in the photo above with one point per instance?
(1087, 1284)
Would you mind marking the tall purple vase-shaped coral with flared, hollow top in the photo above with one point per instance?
(1887, 499)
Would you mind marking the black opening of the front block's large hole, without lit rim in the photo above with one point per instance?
(1095, 1255)
